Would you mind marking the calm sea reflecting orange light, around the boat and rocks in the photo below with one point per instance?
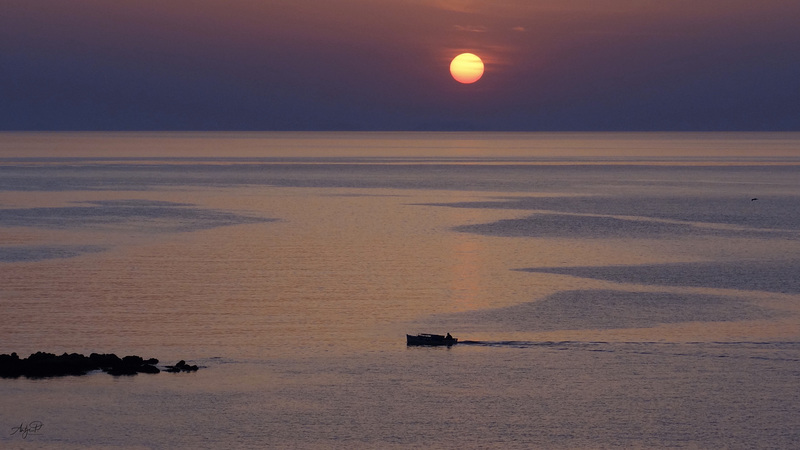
(608, 290)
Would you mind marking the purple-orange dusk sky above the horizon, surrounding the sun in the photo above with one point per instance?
(550, 65)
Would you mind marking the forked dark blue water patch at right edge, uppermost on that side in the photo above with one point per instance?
(640, 217)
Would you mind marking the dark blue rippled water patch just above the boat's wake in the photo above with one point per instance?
(608, 309)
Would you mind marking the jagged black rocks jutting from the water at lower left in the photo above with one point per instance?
(45, 365)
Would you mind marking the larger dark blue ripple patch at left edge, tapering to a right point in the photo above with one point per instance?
(143, 215)
